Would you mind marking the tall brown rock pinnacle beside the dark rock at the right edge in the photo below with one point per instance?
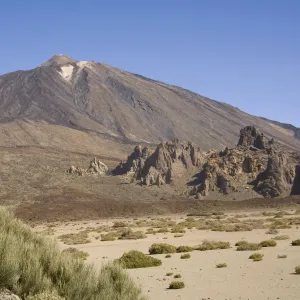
(276, 178)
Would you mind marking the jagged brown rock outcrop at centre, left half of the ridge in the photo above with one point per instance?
(168, 162)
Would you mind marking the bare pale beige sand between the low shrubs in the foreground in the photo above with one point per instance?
(271, 278)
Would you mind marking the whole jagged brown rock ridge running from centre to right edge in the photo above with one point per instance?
(256, 163)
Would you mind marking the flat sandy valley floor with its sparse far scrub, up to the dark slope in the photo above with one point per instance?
(271, 278)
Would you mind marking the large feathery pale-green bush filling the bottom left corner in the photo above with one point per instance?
(31, 264)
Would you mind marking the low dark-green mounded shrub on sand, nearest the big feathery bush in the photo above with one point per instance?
(135, 259)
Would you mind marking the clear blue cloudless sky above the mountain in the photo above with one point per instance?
(243, 52)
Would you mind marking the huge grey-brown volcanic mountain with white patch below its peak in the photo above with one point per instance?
(101, 100)
